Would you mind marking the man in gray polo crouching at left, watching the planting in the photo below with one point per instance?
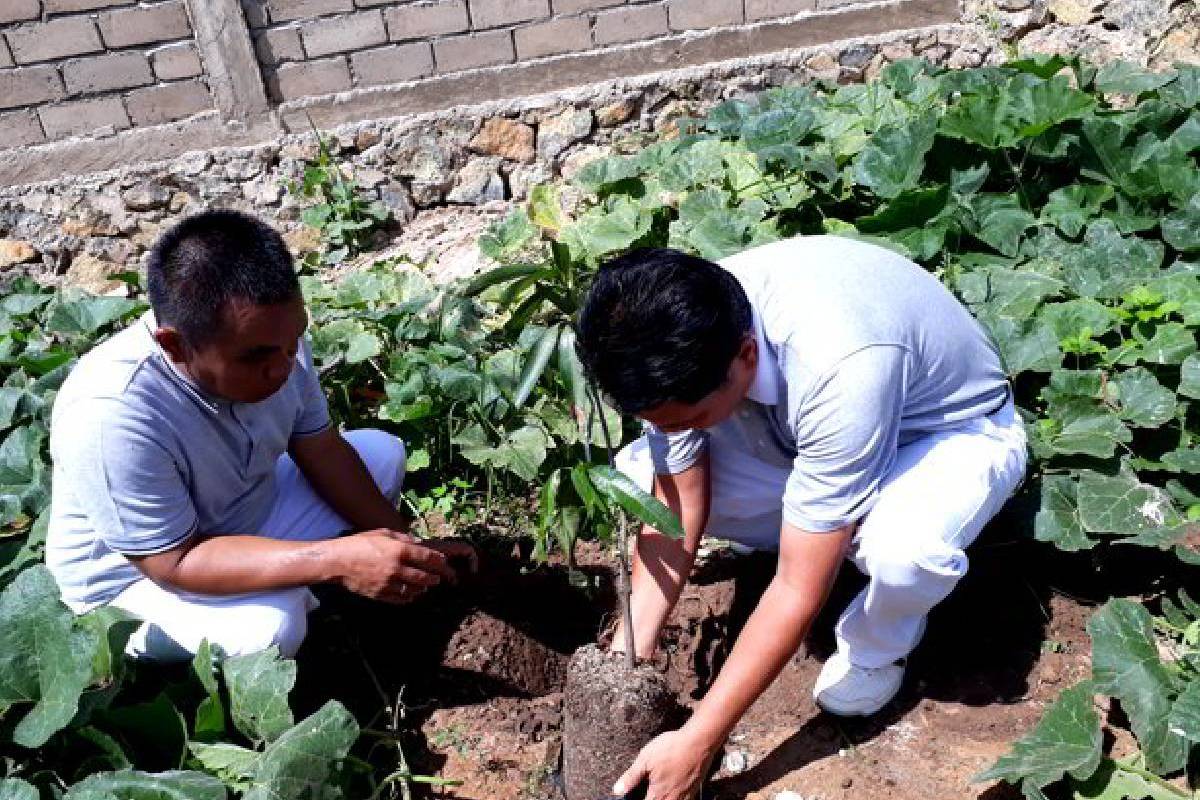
(199, 483)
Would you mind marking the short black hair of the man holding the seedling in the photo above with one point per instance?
(659, 326)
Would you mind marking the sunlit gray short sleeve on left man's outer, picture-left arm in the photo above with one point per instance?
(125, 482)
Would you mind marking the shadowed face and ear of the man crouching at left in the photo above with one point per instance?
(250, 358)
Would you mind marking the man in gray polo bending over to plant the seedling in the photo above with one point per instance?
(820, 398)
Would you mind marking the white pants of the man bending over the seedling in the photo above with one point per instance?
(934, 503)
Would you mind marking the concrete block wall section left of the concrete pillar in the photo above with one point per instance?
(85, 68)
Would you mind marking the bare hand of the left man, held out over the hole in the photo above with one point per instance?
(391, 567)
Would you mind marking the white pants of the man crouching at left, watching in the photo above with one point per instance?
(177, 623)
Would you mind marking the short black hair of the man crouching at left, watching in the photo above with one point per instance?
(213, 258)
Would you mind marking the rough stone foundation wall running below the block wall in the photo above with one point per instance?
(443, 175)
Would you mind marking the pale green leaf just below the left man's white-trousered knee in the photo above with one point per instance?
(259, 687)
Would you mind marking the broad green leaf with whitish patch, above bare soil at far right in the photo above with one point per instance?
(1124, 506)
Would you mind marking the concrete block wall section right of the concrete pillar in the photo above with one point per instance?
(310, 49)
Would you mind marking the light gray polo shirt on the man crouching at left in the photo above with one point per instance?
(145, 460)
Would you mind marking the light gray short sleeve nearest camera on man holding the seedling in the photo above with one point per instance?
(847, 440)
